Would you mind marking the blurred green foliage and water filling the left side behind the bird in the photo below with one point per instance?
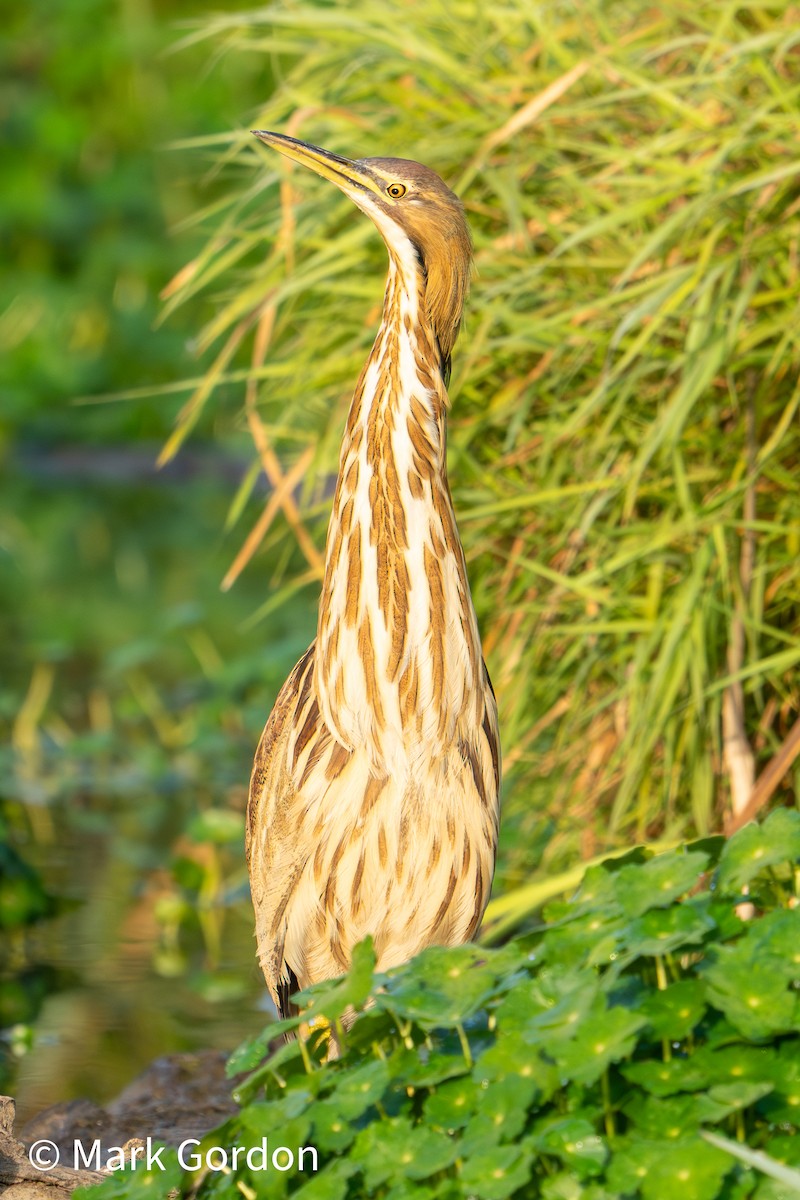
(131, 694)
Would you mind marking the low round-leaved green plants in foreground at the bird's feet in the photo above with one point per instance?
(550, 1067)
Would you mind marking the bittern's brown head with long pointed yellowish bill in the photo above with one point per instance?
(423, 224)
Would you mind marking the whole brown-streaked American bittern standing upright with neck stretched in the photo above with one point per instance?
(374, 802)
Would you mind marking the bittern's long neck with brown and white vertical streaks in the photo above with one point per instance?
(398, 651)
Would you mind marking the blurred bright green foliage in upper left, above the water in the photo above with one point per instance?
(88, 200)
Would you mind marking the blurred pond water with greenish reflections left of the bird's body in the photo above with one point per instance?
(133, 694)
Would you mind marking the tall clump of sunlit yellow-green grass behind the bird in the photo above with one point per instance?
(631, 179)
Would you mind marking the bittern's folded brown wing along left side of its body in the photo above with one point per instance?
(296, 755)
